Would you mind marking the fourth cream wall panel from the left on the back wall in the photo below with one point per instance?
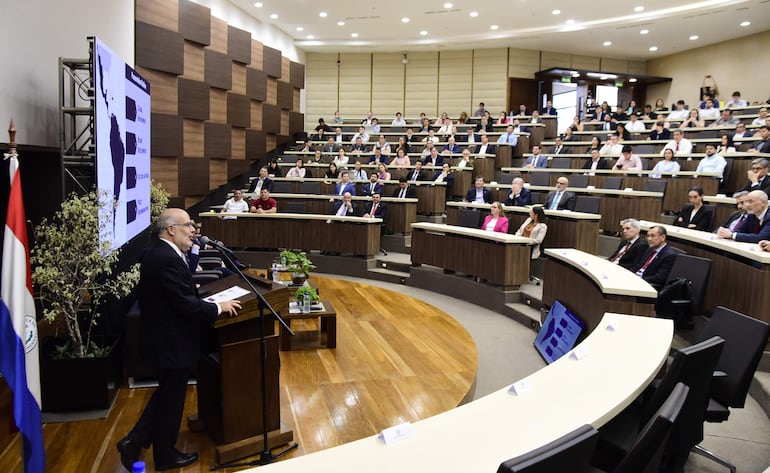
(421, 93)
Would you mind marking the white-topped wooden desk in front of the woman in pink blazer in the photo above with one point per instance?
(499, 258)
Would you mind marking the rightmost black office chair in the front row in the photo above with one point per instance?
(745, 340)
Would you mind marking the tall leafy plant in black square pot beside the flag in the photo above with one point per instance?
(74, 272)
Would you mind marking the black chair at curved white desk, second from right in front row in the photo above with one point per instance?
(692, 366)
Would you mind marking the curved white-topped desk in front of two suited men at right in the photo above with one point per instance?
(589, 286)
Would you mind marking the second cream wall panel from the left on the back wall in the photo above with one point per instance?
(355, 85)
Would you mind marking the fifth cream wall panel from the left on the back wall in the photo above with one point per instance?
(454, 82)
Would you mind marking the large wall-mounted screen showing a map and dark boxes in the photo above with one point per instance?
(122, 100)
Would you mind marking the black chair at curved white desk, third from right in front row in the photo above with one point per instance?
(647, 451)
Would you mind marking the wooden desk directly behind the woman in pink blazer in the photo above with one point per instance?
(565, 229)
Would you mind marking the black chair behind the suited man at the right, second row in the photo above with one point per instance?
(691, 272)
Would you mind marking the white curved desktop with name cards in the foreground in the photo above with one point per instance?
(478, 436)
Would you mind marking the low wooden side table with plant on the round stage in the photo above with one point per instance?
(324, 337)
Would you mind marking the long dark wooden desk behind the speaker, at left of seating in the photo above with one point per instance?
(351, 235)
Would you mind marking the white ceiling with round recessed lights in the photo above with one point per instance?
(527, 24)
